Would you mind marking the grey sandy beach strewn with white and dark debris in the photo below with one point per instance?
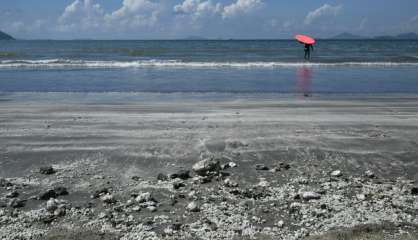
(250, 168)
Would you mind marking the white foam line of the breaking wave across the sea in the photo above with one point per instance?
(67, 63)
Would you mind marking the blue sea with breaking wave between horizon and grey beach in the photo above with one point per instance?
(87, 70)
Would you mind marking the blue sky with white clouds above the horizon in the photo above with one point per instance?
(173, 19)
